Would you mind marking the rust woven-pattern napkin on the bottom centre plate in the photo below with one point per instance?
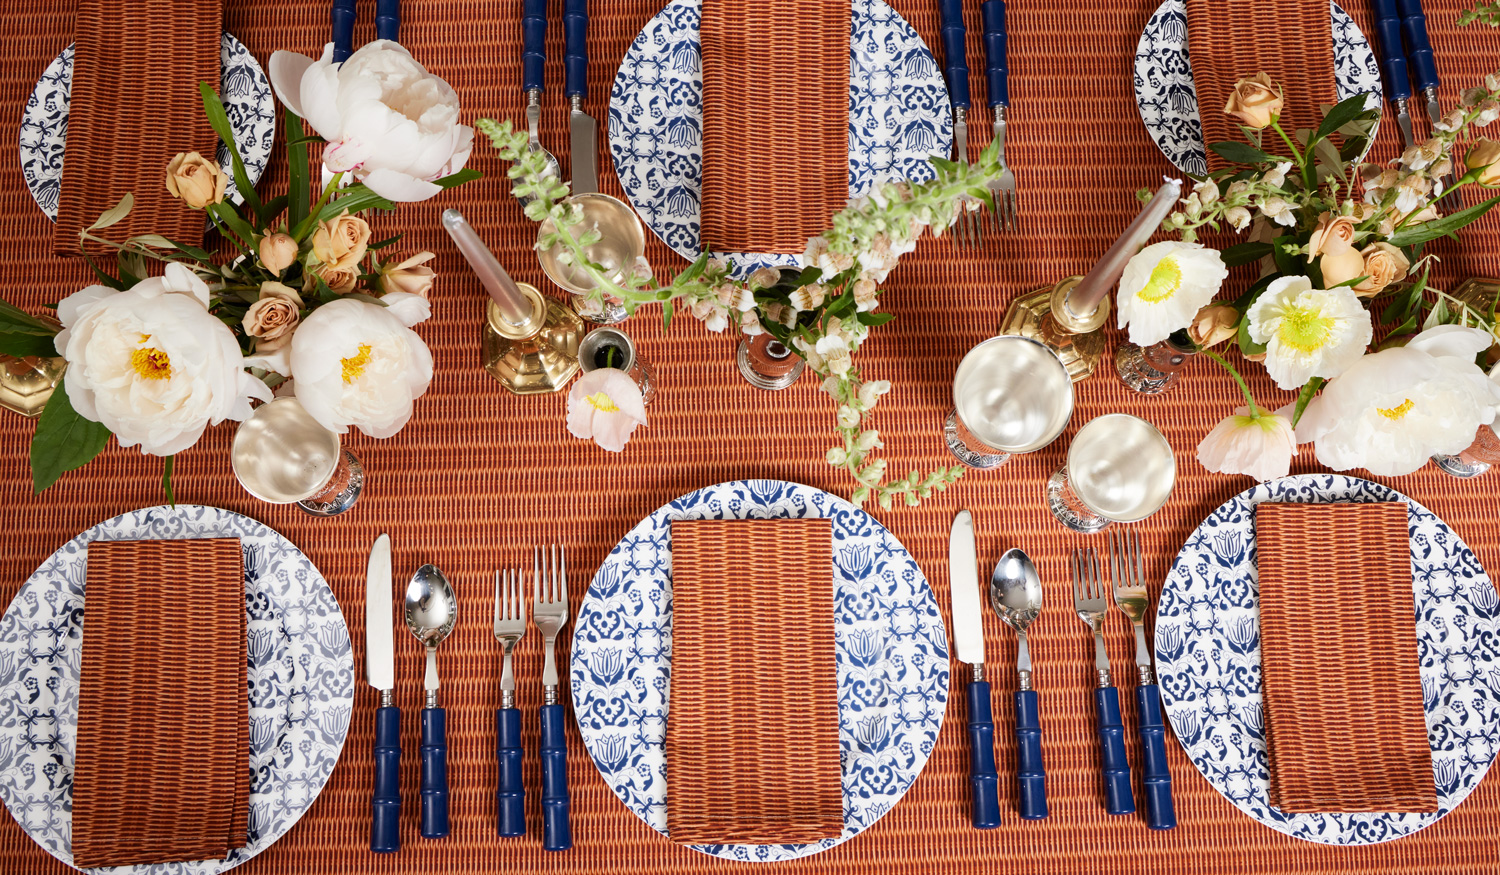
(752, 729)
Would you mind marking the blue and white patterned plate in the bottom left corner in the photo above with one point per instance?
(299, 679)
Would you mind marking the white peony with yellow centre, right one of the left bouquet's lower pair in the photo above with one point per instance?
(358, 364)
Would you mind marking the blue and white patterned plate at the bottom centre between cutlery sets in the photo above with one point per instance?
(890, 639)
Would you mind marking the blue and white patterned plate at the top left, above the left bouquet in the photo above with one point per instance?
(244, 88)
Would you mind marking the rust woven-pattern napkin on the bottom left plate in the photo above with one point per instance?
(161, 771)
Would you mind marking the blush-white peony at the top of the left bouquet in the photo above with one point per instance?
(388, 121)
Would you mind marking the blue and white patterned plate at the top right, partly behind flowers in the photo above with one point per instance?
(1165, 82)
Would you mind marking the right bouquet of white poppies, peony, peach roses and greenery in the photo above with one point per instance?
(1336, 241)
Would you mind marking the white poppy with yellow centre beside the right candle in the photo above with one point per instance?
(1165, 287)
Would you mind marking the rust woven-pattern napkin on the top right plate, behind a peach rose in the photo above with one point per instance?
(1232, 40)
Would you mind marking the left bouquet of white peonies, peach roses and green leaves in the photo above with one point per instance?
(305, 304)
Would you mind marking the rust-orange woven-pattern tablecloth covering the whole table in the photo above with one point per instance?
(481, 477)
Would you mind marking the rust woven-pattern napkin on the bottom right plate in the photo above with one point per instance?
(1339, 660)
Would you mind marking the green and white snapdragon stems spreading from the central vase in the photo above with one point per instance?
(824, 311)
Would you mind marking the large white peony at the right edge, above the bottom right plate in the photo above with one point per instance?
(1397, 407)
